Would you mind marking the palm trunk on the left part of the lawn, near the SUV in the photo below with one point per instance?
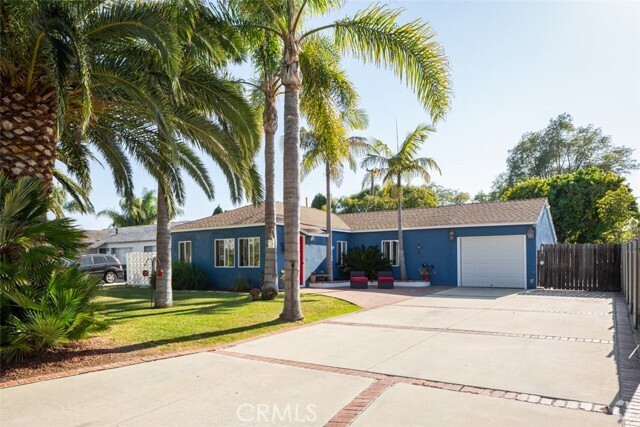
(164, 296)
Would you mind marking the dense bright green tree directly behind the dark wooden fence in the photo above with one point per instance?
(587, 206)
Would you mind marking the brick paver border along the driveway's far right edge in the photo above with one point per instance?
(628, 362)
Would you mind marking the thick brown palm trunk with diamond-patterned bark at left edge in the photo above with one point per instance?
(28, 138)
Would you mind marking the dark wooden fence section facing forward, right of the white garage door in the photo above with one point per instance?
(588, 267)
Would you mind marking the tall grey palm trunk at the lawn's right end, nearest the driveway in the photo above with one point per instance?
(291, 78)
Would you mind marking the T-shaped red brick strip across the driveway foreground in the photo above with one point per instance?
(387, 380)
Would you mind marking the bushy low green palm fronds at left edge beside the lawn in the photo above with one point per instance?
(44, 303)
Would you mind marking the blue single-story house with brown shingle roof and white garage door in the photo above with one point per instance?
(478, 244)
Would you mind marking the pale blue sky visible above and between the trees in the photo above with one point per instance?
(514, 66)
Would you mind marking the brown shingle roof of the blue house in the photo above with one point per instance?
(480, 214)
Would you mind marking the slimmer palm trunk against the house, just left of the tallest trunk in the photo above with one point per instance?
(270, 124)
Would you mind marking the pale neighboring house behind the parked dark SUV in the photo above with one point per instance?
(122, 240)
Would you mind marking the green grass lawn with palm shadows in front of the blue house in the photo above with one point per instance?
(200, 319)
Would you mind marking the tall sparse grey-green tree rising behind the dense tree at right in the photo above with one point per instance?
(563, 148)
